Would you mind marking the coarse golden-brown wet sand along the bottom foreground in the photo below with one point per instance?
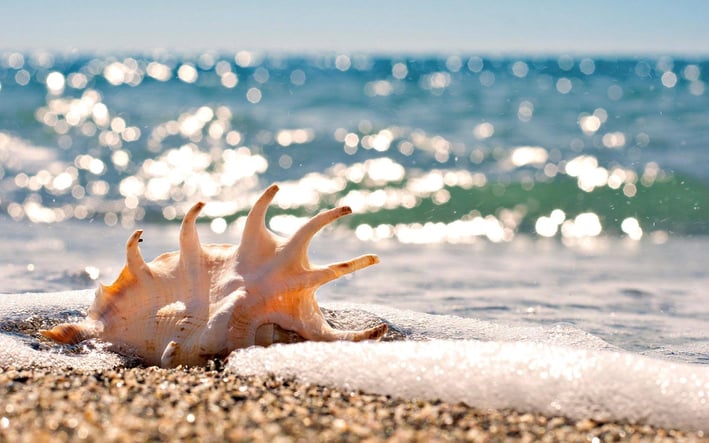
(207, 404)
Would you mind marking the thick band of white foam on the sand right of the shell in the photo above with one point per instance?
(536, 377)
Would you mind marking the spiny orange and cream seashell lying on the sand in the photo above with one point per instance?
(206, 300)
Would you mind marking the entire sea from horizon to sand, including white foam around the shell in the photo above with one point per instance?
(542, 223)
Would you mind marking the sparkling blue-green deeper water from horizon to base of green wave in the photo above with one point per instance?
(441, 149)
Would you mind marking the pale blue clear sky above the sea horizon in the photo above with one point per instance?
(628, 27)
